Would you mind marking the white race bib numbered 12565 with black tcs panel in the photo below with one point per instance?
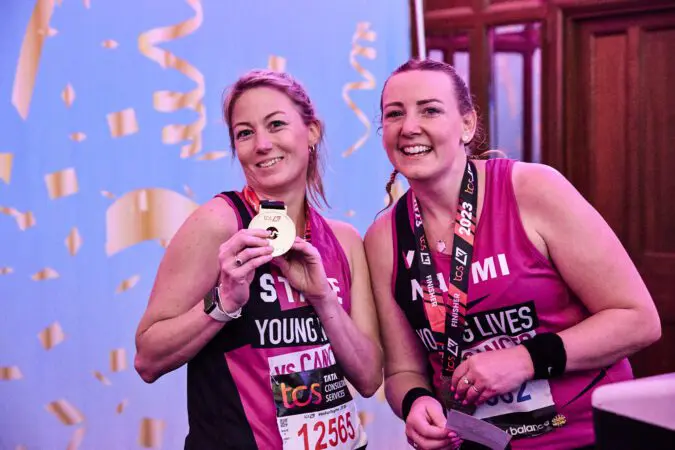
(315, 409)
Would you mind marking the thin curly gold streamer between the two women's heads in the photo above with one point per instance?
(363, 32)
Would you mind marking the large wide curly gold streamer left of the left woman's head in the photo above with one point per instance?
(168, 101)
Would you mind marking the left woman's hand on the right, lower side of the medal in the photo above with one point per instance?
(303, 268)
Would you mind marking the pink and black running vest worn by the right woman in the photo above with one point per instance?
(514, 293)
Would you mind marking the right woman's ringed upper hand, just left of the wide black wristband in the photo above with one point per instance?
(487, 374)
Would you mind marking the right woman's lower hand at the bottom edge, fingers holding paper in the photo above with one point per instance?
(425, 426)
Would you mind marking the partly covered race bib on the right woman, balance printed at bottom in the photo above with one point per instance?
(527, 411)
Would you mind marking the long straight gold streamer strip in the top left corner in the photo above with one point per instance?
(29, 57)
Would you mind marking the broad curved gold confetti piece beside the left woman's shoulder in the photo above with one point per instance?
(145, 214)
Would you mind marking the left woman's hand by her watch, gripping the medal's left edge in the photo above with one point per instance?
(239, 257)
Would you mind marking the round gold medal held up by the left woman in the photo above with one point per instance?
(273, 218)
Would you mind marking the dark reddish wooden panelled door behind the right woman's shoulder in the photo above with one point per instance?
(618, 145)
